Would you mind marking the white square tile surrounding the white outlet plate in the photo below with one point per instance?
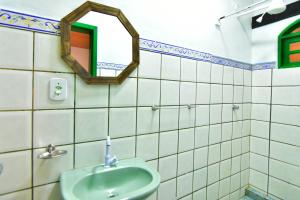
(41, 91)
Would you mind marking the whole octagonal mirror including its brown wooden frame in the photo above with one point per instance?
(99, 43)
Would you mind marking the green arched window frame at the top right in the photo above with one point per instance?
(285, 39)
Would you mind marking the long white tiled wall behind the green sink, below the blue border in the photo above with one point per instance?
(201, 152)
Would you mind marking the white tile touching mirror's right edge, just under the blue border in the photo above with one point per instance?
(149, 64)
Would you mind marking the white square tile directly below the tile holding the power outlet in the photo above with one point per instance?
(53, 127)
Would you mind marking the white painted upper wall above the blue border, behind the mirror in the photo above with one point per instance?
(188, 23)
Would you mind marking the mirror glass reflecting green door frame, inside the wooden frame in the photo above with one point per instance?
(101, 44)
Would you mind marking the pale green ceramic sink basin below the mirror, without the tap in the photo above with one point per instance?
(131, 179)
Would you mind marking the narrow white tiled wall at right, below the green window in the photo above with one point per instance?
(275, 142)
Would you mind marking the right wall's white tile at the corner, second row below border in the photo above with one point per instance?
(262, 95)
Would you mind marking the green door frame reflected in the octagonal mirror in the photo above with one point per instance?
(93, 31)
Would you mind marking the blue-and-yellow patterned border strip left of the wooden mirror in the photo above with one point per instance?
(29, 22)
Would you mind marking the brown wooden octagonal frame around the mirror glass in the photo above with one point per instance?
(75, 15)
